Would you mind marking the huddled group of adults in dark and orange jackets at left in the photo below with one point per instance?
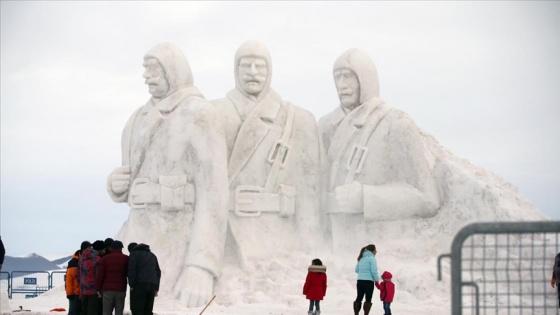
(98, 274)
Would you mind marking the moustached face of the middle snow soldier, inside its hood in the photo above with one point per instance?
(252, 74)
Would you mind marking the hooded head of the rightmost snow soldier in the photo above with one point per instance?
(355, 78)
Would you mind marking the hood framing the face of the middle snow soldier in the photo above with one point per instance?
(253, 48)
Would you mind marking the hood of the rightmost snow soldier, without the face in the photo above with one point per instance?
(359, 61)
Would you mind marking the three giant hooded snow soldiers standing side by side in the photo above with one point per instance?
(252, 164)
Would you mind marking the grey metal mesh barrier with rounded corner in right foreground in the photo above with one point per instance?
(504, 268)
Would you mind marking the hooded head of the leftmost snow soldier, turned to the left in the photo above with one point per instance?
(166, 70)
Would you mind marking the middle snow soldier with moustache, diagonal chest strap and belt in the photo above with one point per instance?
(273, 164)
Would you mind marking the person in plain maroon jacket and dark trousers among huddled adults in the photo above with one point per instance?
(110, 282)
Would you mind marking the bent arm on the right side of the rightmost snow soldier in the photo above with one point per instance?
(409, 187)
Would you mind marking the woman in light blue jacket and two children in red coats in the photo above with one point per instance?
(315, 287)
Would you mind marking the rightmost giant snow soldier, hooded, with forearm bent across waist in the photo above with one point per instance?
(377, 166)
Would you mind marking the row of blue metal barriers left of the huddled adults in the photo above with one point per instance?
(29, 284)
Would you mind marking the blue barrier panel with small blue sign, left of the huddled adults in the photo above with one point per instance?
(29, 284)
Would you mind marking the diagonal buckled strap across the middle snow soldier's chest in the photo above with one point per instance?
(279, 153)
